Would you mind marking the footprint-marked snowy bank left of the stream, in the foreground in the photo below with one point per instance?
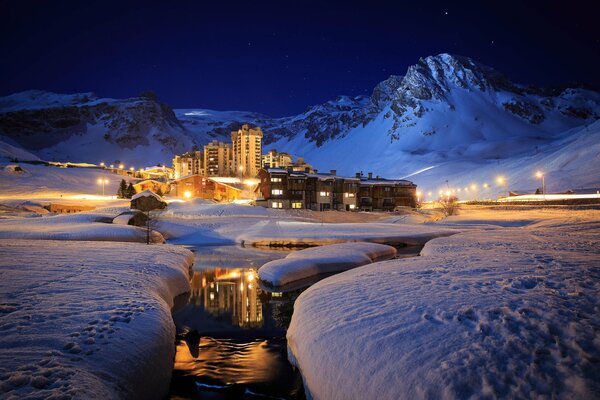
(88, 319)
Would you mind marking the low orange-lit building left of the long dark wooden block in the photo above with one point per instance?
(203, 187)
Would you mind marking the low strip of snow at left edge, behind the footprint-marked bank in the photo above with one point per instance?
(80, 226)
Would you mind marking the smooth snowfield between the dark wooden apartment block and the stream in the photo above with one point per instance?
(222, 224)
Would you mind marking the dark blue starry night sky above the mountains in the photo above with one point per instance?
(279, 58)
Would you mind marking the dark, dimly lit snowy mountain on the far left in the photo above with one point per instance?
(84, 128)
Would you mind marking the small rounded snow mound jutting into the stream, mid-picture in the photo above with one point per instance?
(325, 259)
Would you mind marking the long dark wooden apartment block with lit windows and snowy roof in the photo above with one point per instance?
(285, 188)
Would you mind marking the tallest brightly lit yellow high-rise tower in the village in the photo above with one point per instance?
(247, 151)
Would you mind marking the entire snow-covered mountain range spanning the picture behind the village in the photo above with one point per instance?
(448, 119)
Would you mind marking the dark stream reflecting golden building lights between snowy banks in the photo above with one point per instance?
(231, 332)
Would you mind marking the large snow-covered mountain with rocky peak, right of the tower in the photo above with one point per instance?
(465, 123)
